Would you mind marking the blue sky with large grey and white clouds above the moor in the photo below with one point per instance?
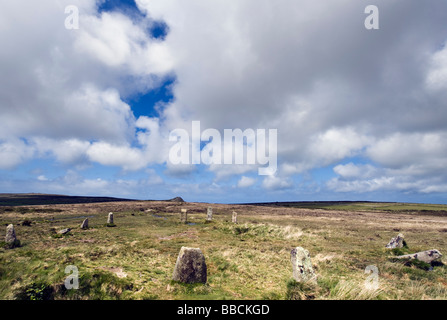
(89, 109)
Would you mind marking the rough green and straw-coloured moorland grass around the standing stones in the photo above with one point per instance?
(249, 260)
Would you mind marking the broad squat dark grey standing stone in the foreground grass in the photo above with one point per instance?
(190, 266)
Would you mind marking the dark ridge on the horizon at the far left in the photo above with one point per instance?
(8, 199)
